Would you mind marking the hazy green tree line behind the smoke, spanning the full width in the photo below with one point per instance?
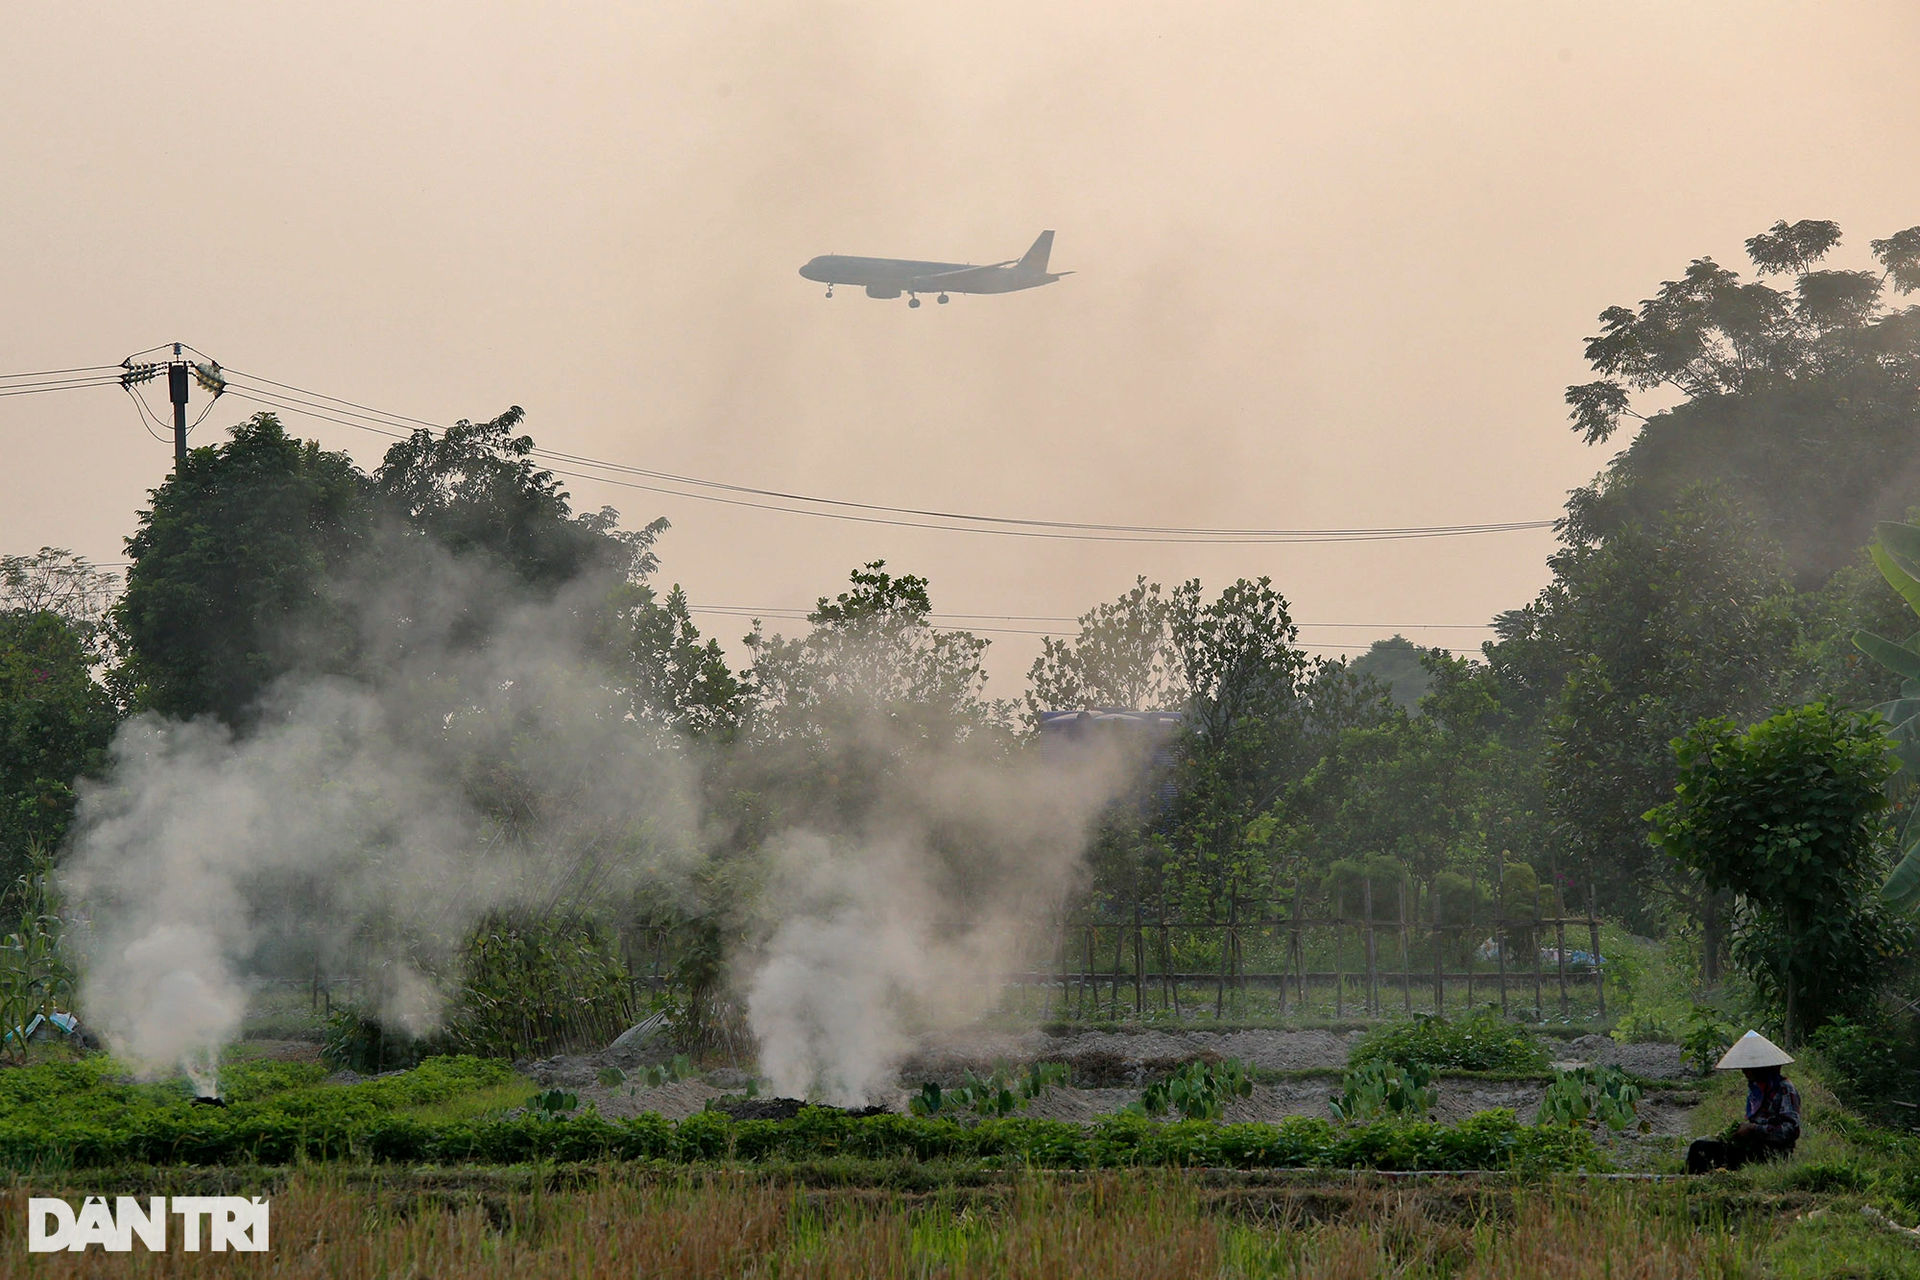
(1712, 575)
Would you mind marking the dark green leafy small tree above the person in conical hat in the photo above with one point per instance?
(1790, 817)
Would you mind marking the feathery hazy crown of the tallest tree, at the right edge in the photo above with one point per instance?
(1802, 398)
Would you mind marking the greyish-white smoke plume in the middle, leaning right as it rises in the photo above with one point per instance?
(913, 918)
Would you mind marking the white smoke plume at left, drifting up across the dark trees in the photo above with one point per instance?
(345, 822)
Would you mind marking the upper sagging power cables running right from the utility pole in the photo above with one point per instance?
(350, 414)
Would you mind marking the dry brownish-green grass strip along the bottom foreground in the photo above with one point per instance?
(729, 1223)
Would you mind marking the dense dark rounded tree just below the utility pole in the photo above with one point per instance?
(233, 571)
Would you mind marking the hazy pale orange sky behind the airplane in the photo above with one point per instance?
(1335, 260)
